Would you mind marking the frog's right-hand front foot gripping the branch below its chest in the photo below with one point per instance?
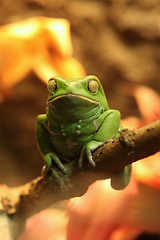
(87, 149)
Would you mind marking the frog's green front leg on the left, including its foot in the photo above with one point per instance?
(45, 146)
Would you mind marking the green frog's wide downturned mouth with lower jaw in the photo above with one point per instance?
(73, 106)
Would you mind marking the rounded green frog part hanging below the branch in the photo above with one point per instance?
(121, 178)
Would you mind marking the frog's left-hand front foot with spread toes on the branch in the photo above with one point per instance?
(51, 158)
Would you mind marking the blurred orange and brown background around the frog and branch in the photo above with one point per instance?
(118, 41)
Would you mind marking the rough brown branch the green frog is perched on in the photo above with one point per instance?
(131, 146)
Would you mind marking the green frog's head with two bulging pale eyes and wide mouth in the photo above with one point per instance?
(77, 96)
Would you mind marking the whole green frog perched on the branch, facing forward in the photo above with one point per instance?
(78, 120)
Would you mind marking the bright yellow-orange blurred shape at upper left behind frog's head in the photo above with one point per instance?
(39, 44)
